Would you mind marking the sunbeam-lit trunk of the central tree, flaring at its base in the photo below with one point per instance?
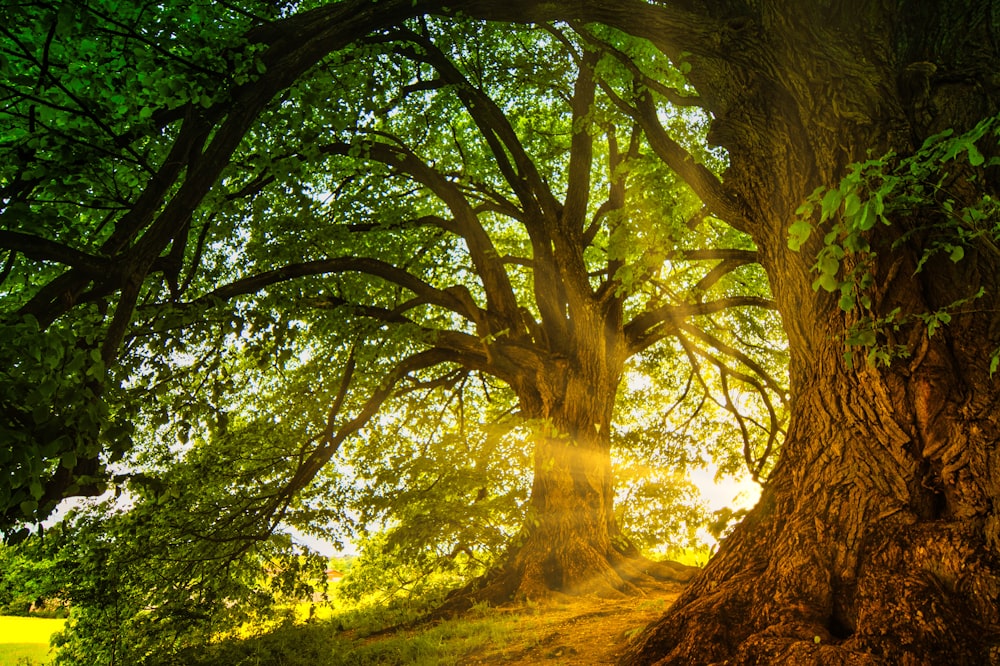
(570, 542)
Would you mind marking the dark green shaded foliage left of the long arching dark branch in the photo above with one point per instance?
(91, 93)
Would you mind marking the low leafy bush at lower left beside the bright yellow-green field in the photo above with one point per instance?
(140, 589)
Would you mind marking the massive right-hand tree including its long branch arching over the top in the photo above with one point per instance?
(876, 538)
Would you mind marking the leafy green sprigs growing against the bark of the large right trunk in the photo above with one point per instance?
(914, 193)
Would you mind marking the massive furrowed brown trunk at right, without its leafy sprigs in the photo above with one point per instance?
(877, 538)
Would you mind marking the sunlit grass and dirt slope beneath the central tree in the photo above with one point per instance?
(568, 631)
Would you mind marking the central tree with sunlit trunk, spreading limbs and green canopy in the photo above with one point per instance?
(401, 192)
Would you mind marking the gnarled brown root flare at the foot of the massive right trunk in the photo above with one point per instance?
(925, 595)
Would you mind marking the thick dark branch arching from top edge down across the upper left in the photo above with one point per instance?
(294, 45)
